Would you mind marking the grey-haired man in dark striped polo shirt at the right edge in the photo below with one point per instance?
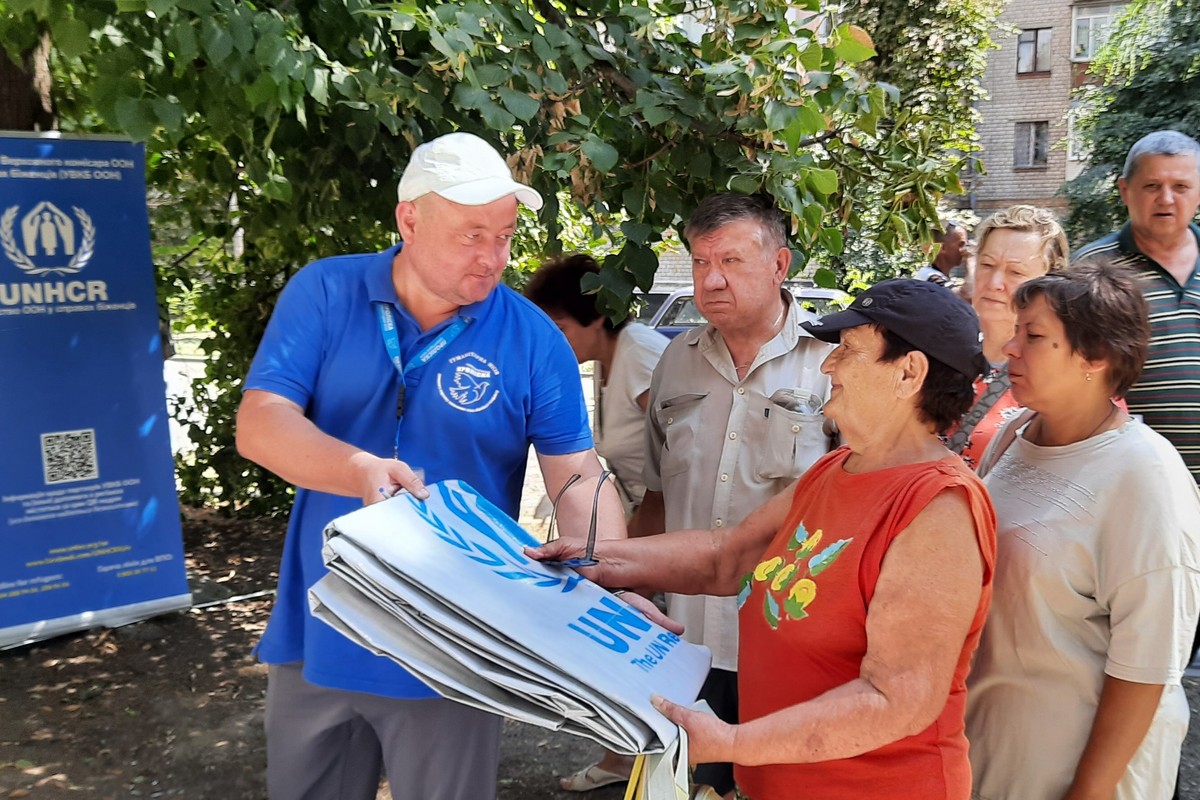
(1161, 188)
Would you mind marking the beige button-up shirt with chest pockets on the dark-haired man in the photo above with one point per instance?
(718, 448)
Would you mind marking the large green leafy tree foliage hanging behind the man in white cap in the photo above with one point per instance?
(290, 124)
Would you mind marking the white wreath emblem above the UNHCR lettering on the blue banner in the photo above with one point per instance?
(47, 240)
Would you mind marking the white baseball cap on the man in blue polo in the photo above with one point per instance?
(465, 170)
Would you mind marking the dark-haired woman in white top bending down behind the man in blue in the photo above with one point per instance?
(626, 354)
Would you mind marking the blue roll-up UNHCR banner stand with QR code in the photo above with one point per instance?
(89, 518)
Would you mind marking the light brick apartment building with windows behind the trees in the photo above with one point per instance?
(1025, 130)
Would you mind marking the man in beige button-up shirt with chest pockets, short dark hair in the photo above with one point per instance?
(735, 412)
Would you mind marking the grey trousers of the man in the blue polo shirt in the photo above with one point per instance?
(328, 744)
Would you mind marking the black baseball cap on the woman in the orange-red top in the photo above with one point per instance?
(929, 317)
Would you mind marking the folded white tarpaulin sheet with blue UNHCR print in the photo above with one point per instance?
(443, 588)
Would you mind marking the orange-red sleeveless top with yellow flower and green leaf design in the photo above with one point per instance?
(803, 627)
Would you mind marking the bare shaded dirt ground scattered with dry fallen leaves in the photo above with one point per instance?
(173, 707)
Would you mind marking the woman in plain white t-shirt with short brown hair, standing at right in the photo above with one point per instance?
(1076, 688)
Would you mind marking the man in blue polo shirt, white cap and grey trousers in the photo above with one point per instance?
(375, 370)
